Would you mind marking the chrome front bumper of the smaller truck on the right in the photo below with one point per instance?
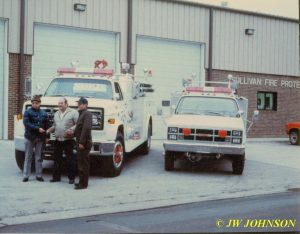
(201, 148)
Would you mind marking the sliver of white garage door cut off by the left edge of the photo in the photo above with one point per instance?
(2, 99)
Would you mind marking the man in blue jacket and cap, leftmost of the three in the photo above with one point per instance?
(35, 121)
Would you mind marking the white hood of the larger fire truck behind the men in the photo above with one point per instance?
(109, 105)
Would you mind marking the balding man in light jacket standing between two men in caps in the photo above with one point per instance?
(64, 125)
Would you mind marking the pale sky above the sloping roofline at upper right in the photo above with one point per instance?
(286, 8)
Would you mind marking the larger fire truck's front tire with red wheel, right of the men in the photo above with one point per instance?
(113, 165)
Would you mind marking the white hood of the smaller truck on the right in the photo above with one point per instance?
(205, 121)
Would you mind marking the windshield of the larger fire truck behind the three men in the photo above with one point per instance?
(80, 88)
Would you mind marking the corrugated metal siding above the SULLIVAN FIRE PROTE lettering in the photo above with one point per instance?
(273, 49)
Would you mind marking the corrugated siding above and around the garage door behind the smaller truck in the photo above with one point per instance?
(169, 20)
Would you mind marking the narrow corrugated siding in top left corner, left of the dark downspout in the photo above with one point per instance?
(10, 9)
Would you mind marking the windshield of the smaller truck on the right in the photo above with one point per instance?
(207, 106)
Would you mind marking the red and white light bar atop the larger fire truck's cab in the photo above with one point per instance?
(94, 71)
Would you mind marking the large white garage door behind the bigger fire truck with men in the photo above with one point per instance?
(59, 46)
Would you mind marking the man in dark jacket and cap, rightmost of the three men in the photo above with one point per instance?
(84, 143)
